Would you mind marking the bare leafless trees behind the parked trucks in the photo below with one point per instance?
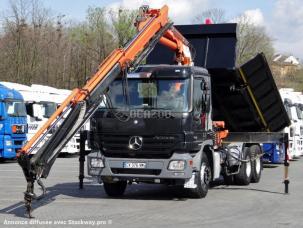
(38, 47)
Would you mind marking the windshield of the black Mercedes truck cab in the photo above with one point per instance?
(168, 94)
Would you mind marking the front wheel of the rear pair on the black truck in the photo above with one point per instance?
(245, 173)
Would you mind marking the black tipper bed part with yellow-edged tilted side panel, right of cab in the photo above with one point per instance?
(247, 98)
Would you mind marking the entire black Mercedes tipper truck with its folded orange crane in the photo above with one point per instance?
(183, 124)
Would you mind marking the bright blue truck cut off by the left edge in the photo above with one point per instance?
(13, 122)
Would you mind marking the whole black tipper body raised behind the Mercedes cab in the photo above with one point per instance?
(245, 97)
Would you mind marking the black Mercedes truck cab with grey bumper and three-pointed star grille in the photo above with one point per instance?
(157, 130)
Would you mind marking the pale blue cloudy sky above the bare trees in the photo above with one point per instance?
(283, 19)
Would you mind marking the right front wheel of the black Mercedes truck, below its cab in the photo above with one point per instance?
(202, 181)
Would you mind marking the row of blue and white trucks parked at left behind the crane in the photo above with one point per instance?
(31, 107)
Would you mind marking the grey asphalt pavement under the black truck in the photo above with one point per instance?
(258, 205)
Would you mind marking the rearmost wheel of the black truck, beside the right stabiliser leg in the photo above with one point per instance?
(257, 164)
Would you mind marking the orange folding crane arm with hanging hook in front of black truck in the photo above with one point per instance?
(153, 26)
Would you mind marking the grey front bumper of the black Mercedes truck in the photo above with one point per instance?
(155, 168)
